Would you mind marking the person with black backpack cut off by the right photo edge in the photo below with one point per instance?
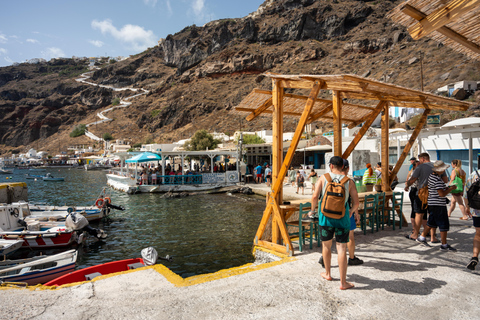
(472, 194)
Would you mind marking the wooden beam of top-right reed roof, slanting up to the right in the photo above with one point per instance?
(441, 16)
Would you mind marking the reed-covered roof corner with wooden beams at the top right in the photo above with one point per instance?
(455, 23)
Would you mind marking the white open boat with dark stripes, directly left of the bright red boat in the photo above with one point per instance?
(39, 270)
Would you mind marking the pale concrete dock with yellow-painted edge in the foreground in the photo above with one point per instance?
(400, 279)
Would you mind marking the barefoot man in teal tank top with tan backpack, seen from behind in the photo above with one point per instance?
(333, 190)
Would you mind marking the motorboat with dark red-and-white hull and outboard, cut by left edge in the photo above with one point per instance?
(15, 224)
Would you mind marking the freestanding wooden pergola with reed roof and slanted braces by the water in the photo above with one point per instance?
(376, 98)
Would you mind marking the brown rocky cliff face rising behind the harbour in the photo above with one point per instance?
(196, 76)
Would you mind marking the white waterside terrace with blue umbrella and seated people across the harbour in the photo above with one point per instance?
(185, 179)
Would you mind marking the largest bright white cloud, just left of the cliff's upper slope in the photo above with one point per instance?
(136, 37)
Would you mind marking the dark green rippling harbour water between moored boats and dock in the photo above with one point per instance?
(203, 233)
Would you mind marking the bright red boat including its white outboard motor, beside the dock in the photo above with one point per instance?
(149, 257)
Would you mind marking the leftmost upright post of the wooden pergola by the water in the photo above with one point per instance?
(277, 146)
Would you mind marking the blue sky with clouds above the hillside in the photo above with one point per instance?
(85, 28)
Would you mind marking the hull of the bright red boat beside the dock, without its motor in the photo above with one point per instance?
(90, 273)
